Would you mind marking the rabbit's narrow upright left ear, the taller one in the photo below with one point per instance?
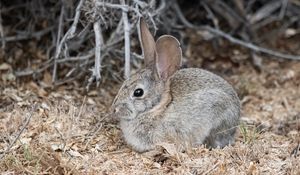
(148, 44)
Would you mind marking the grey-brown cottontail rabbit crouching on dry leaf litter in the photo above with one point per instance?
(163, 103)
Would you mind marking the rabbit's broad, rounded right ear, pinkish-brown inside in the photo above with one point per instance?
(168, 56)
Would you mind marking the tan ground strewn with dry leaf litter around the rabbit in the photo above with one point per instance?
(69, 132)
